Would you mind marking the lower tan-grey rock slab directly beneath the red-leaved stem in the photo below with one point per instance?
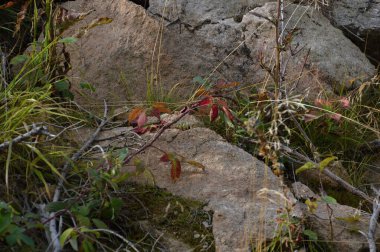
(230, 185)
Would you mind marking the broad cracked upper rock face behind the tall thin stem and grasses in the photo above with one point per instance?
(220, 39)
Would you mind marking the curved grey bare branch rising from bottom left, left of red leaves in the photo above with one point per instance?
(54, 233)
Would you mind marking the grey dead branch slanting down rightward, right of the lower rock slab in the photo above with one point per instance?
(330, 174)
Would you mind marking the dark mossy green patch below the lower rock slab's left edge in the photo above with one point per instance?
(151, 208)
